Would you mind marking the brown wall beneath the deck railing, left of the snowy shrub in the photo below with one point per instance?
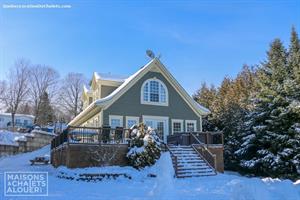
(84, 155)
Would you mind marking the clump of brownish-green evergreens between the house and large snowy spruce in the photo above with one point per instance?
(228, 105)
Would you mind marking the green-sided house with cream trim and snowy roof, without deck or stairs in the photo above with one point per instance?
(151, 95)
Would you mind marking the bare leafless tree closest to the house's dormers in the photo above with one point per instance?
(71, 93)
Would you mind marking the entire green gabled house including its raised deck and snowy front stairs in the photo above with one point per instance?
(100, 134)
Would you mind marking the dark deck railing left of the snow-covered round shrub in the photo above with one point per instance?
(91, 135)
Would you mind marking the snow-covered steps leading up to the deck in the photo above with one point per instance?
(189, 163)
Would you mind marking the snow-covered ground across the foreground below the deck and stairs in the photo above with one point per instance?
(164, 186)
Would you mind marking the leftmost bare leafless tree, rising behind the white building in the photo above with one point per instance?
(17, 87)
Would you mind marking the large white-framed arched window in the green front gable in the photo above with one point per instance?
(154, 92)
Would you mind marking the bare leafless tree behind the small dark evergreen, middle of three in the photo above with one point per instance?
(42, 79)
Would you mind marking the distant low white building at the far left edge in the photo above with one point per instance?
(21, 120)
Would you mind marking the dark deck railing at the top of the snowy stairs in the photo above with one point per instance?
(209, 138)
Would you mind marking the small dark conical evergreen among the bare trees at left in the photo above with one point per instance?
(45, 111)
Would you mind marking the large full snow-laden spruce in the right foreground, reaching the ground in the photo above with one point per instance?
(269, 144)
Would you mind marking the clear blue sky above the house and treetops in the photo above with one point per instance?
(198, 40)
